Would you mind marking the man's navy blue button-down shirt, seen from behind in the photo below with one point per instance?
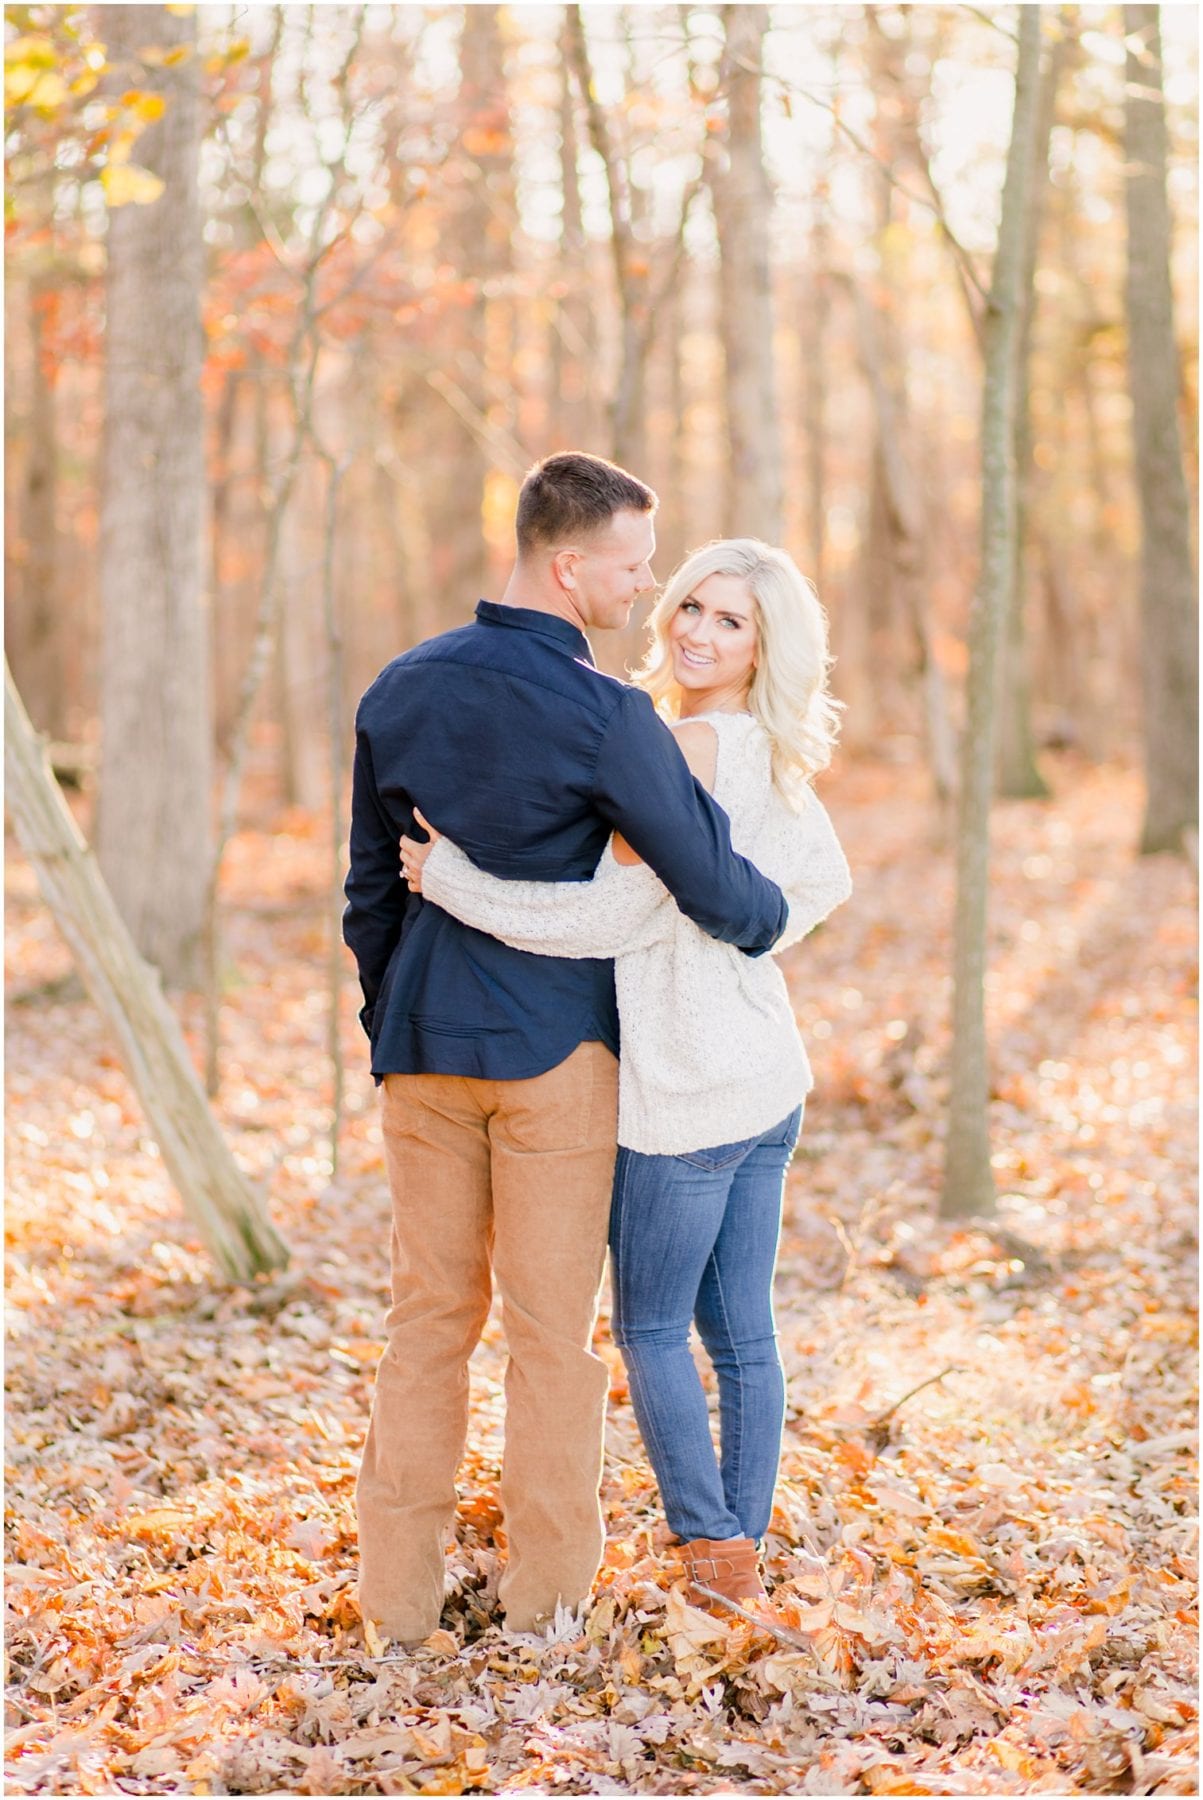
(509, 739)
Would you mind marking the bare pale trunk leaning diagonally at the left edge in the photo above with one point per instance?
(217, 1196)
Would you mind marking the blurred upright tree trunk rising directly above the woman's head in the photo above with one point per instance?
(743, 211)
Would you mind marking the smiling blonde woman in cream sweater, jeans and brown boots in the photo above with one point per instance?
(712, 1074)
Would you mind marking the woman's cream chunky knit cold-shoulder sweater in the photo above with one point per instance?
(710, 1047)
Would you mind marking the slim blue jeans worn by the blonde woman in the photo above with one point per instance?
(694, 1239)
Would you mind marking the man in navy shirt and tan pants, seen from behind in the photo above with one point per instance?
(500, 1068)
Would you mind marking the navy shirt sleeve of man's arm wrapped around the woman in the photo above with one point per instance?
(642, 786)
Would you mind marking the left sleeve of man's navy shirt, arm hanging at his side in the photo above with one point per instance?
(377, 895)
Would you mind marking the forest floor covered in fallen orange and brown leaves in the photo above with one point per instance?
(990, 1590)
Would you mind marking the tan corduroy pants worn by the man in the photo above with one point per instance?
(509, 1180)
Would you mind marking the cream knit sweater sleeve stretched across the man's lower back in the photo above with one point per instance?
(624, 908)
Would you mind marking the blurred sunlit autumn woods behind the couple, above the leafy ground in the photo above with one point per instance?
(743, 251)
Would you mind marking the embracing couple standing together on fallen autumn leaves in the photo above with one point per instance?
(543, 861)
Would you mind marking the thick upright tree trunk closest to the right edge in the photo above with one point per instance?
(1168, 584)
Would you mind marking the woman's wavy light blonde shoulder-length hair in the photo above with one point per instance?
(790, 690)
